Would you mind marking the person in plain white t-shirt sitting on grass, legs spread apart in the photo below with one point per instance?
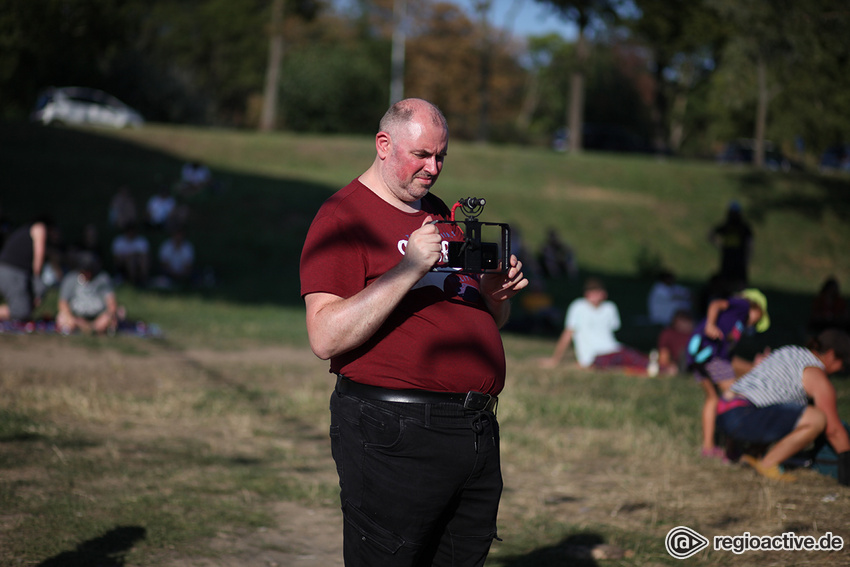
(590, 325)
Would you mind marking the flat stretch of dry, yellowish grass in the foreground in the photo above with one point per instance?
(221, 458)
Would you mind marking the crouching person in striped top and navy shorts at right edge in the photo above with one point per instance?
(770, 404)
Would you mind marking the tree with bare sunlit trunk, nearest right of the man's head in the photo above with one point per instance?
(583, 13)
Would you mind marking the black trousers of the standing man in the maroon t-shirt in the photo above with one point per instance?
(419, 483)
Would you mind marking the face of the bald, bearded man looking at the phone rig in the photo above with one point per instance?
(415, 159)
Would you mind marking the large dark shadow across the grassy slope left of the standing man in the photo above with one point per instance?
(250, 233)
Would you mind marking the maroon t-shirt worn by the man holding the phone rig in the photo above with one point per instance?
(441, 337)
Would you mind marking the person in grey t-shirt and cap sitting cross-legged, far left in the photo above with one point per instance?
(86, 300)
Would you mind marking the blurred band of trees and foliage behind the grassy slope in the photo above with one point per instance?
(673, 76)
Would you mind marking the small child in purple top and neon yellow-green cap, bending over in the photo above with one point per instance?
(710, 353)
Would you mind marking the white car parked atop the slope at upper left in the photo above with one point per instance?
(82, 105)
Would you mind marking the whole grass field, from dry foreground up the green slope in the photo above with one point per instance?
(209, 446)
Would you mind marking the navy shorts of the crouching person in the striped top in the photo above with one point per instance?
(765, 425)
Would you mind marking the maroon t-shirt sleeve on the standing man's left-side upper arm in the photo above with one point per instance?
(331, 260)
